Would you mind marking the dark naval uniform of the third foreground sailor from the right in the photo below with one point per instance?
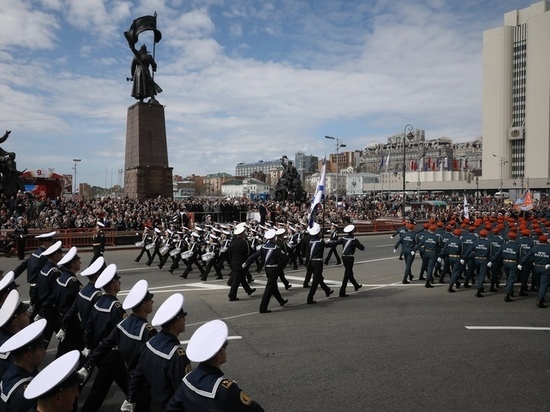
(130, 337)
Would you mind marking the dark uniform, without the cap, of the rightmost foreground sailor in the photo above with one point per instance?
(207, 389)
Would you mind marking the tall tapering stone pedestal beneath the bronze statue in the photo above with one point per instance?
(146, 171)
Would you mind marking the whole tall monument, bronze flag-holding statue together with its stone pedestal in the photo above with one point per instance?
(147, 173)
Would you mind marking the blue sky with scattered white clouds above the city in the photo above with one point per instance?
(242, 80)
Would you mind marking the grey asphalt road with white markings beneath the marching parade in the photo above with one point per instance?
(388, 347)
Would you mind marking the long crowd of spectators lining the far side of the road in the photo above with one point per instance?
(124, 214)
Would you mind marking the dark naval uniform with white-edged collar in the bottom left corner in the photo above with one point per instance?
(14, 382)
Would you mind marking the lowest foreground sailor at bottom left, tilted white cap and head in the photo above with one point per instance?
(55, 388)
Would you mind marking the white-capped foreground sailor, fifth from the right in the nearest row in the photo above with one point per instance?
(77, 316)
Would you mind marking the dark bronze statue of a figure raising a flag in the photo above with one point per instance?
(143, 80)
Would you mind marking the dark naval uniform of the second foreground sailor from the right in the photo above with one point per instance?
(162, 365)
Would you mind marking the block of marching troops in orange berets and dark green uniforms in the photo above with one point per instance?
(486, 251)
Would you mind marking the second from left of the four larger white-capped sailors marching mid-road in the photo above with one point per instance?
(273, 258)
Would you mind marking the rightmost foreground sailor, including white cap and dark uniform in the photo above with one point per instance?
(206, 388)
